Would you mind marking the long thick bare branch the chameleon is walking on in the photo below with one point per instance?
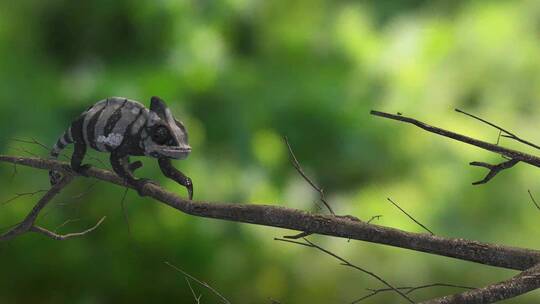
(275, 216)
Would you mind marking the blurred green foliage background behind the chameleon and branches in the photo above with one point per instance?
(241, 74)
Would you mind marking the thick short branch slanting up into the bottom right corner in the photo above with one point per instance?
(522, 283)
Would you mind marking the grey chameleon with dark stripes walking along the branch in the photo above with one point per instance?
(127, 128)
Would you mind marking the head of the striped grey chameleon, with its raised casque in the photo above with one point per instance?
(164, 136)
